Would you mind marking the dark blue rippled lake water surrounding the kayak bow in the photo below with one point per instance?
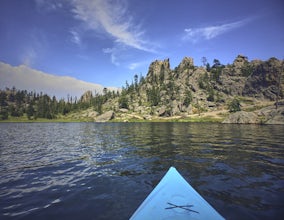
(105, 170)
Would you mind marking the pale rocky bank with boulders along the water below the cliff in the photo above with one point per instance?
(266, 115)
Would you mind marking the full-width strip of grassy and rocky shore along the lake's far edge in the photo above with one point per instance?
(251, 115)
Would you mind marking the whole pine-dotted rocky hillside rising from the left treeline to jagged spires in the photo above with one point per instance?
(187, 90)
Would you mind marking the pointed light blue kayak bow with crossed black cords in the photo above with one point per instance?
(175, 198)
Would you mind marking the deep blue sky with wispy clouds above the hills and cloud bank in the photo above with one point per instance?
(107, 42)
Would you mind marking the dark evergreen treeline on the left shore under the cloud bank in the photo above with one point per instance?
(33, 105)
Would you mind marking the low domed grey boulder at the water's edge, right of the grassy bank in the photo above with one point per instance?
(241, 117)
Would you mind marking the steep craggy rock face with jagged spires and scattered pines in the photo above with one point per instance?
(188, 89)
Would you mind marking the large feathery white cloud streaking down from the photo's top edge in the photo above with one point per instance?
(112, 18)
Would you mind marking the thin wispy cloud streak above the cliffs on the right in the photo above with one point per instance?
(196, 34)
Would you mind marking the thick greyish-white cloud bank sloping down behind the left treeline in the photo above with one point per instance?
(24, 77)
